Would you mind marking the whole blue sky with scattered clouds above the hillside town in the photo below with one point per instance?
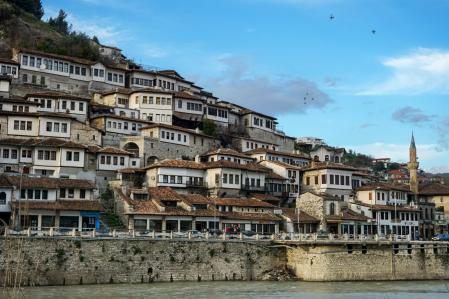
(361, 74)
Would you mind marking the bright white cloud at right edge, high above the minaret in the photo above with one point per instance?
(421, 71)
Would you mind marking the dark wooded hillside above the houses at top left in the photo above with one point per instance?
(24, 29)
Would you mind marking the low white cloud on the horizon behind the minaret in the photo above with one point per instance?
(428, 154)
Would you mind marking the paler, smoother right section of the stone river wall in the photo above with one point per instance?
(372, 262)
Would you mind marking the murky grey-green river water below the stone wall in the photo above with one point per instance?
(237, 290)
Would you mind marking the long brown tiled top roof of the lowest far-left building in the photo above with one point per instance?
(50, 183)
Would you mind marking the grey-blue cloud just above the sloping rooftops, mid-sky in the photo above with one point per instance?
(268, 94)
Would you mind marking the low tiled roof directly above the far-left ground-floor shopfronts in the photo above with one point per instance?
(65, 205)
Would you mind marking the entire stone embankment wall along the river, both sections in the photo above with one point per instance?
(42, 261)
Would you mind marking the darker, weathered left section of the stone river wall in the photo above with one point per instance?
(69, 262)
